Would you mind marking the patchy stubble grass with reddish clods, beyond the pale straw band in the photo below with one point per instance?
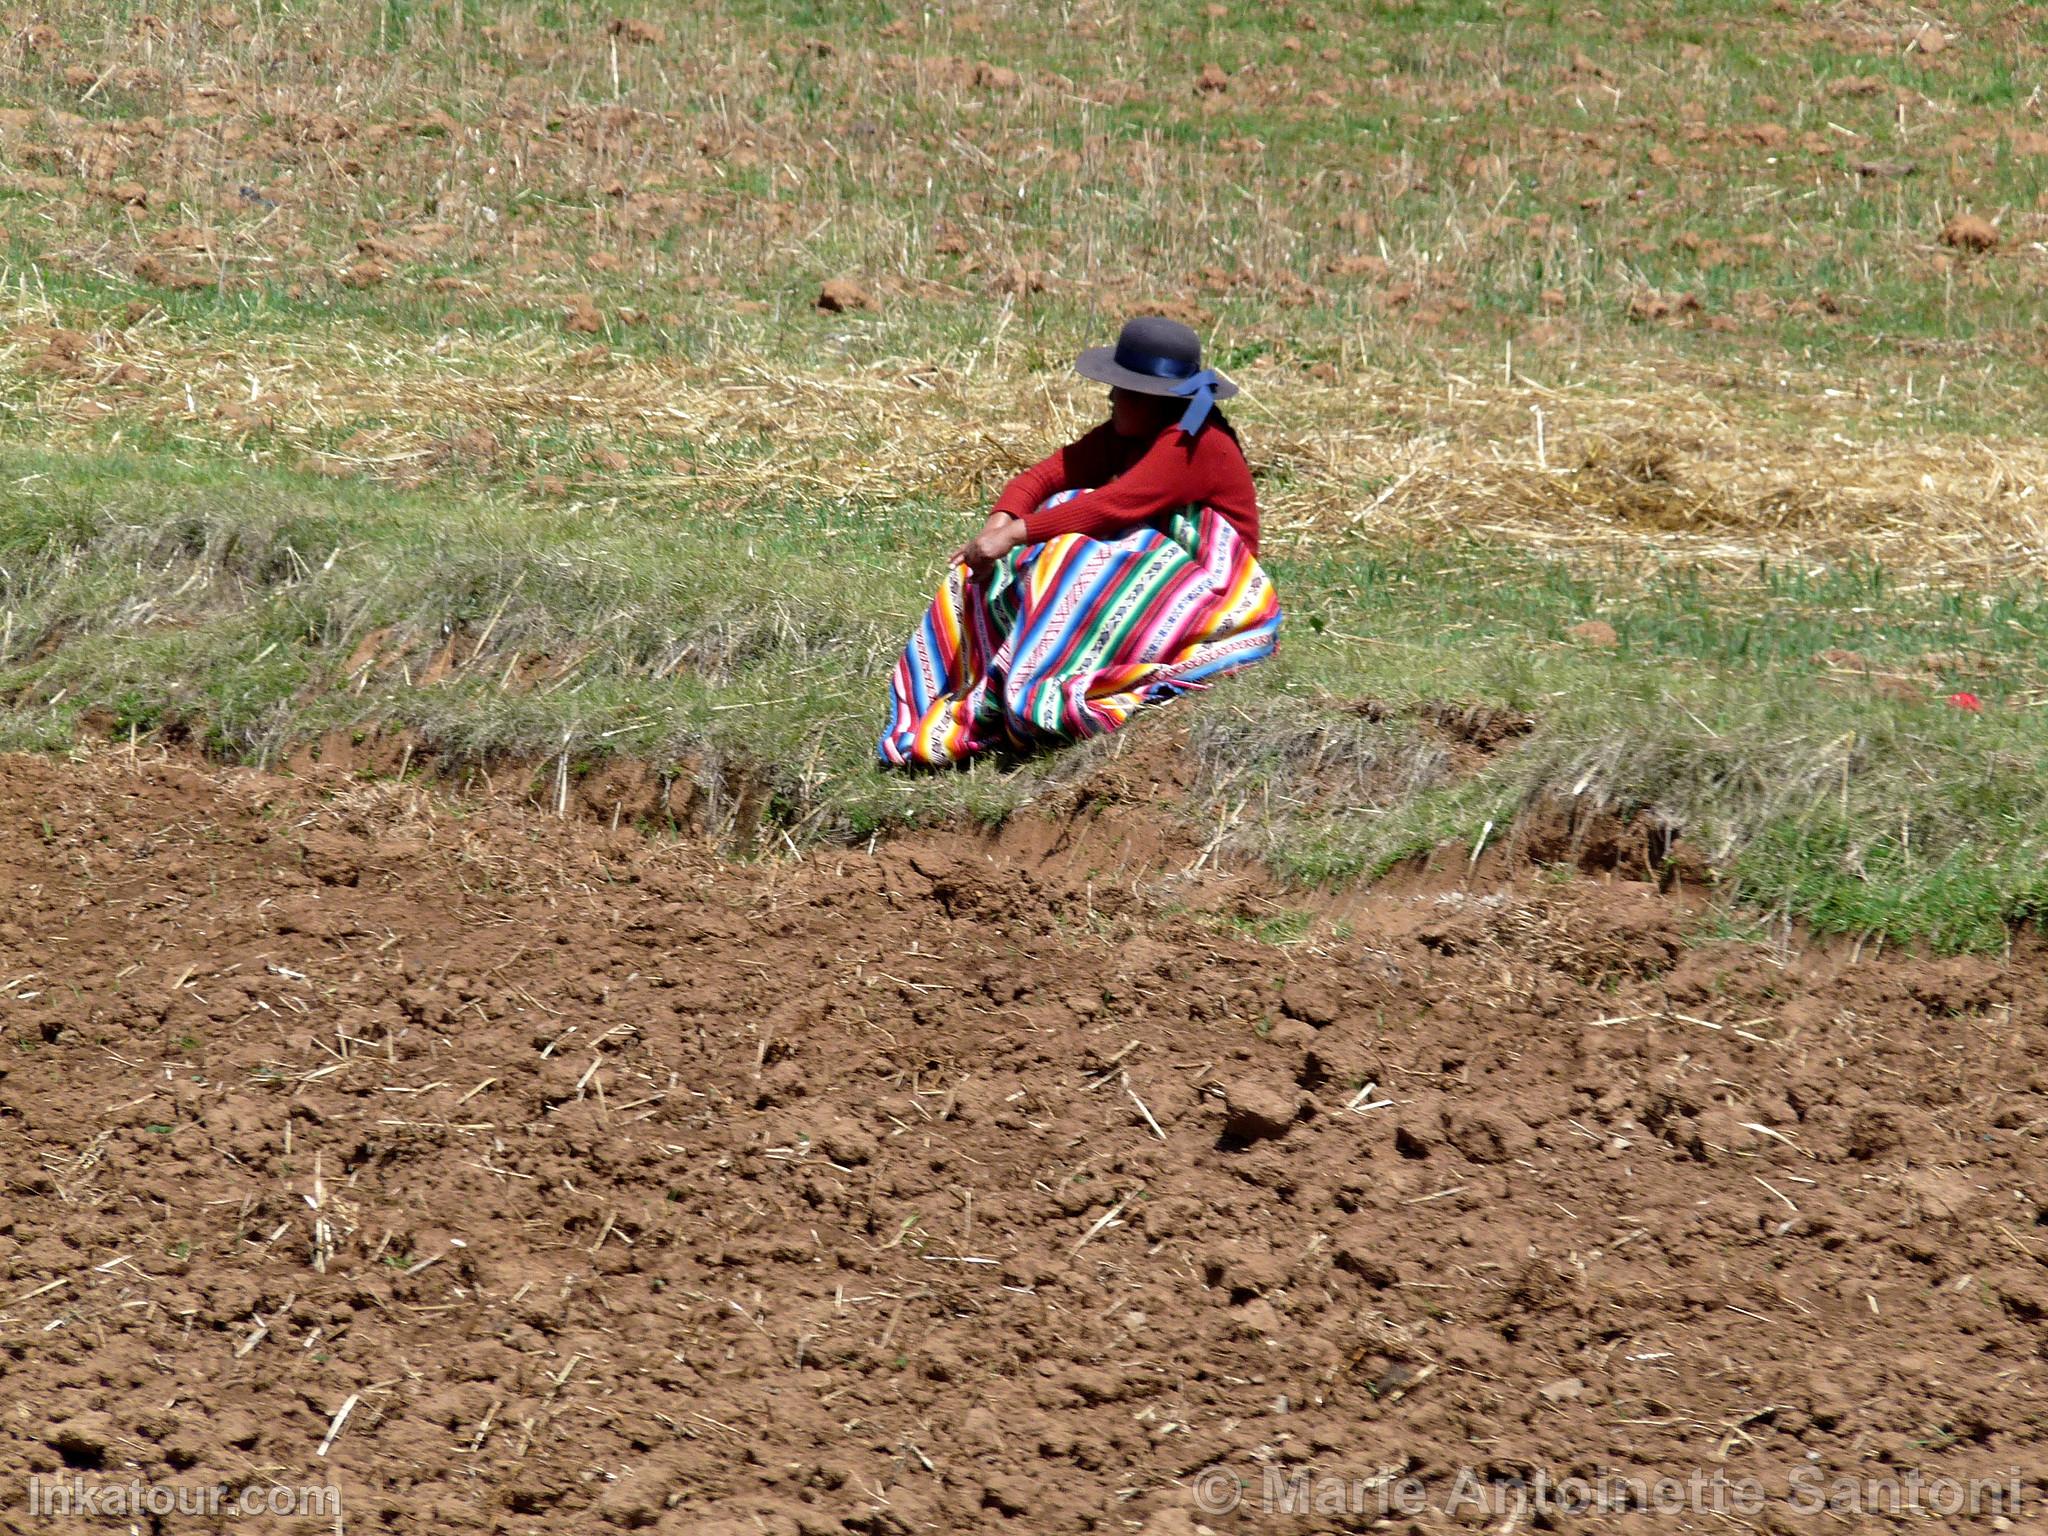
(1488, 159)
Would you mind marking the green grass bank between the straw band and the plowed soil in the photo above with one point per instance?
(224, 603)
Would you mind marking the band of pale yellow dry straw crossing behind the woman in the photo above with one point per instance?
(1629, 464)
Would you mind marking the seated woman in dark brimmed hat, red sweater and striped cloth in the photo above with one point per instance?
(1117, 572)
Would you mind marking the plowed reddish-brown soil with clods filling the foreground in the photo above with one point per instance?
(968, 1185)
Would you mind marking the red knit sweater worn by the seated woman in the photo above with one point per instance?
(1138, 480)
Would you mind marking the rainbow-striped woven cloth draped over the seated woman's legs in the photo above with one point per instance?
(1068, 638)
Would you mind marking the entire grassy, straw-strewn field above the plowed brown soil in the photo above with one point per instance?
(462, 370)
